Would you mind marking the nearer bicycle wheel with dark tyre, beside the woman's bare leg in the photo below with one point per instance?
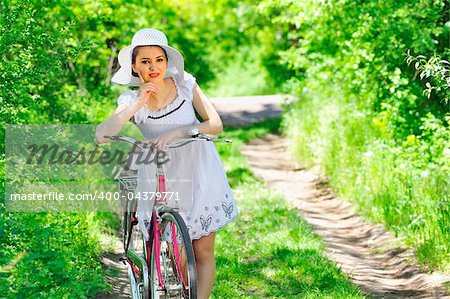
(178, 277)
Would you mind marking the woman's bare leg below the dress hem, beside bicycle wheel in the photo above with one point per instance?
(206, 265)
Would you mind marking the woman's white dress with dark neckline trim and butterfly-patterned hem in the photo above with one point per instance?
(194, 174)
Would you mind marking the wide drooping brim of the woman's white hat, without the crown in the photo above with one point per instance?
(124, 77)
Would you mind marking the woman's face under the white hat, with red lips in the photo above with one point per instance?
(150, 64)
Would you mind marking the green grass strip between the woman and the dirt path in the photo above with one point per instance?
(269, 251)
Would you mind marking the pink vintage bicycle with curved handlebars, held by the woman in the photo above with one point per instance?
(161, 261)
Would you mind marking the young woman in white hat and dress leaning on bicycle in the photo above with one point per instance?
(163, 108)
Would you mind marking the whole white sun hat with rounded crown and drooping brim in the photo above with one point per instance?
(147, 37)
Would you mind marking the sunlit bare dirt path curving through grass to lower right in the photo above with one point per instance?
(364, 251)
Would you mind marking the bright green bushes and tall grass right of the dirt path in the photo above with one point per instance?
(361, 112)
